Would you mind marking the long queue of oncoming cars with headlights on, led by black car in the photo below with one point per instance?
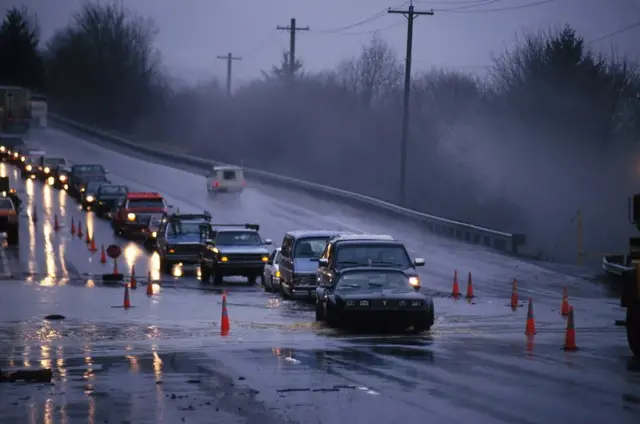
(351, 277)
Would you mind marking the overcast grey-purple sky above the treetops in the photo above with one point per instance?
(194, 32)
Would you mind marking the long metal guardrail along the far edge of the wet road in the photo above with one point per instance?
(498, 240)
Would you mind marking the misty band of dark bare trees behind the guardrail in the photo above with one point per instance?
(550, 131)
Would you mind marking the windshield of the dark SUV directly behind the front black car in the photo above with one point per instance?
(369, 254)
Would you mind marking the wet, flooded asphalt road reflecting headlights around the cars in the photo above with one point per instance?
(277, 364)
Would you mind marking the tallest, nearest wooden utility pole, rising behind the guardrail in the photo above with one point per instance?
(410, 14)
